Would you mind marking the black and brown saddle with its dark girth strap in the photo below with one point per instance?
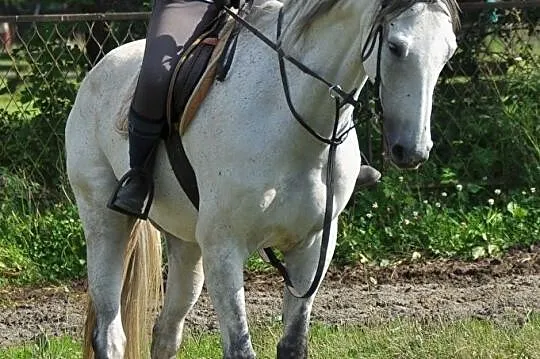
(202, 61)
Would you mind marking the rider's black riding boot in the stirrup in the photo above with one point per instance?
(135, 190)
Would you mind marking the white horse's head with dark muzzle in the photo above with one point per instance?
(415, 39)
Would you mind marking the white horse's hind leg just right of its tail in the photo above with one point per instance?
(184, 284)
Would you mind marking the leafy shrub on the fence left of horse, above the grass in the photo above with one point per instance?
(32, 140)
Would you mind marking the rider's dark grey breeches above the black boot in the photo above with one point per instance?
(171, 25)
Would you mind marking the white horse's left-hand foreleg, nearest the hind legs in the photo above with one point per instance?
(224, 257)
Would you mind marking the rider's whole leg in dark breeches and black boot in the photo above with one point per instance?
(165, 37)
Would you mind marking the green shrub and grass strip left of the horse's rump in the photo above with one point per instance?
(40, 234)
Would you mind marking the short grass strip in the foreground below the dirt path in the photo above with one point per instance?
(398, 339)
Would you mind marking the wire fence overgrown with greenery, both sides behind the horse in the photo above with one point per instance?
(485, 116)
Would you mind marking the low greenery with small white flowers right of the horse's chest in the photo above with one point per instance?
(400, 221)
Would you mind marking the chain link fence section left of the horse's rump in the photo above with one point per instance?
(43, 60)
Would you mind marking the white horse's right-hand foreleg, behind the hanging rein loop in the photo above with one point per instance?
(301, 264)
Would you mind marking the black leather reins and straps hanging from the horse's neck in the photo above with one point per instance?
(342, 99)
